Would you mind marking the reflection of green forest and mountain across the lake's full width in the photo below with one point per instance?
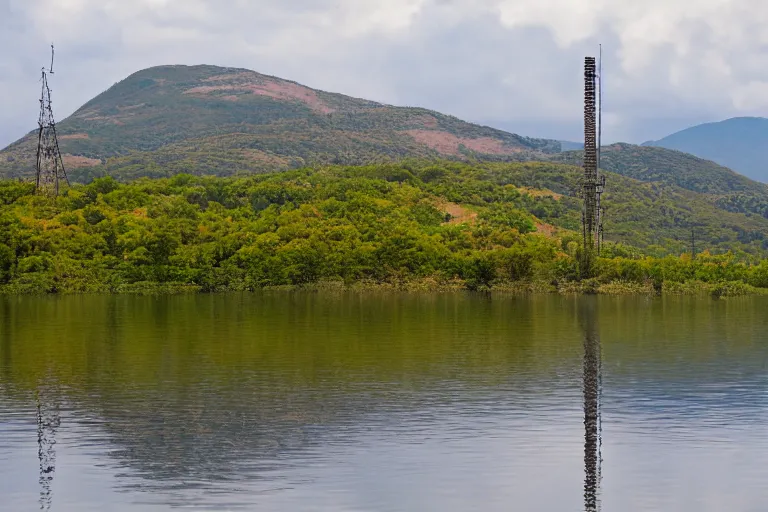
(195, 390)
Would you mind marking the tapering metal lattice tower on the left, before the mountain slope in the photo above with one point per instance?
(50, 166)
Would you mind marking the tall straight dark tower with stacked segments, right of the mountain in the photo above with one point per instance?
(593, 184)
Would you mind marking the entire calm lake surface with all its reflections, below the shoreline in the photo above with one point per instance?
(313, 402)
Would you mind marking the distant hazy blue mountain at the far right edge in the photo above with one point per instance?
(740, 143)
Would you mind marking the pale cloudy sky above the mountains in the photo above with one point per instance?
(511, 64)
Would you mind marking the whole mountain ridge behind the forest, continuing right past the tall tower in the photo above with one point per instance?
(208, 120)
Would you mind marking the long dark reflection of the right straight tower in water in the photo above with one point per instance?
(592, 419)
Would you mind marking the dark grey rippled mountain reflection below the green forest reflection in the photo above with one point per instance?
(220, 436)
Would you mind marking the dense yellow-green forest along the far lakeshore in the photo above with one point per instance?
(408, 225)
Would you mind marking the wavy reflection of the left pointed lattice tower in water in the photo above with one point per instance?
(48, 421)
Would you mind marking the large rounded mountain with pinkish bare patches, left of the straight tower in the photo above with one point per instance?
(208, 119)
